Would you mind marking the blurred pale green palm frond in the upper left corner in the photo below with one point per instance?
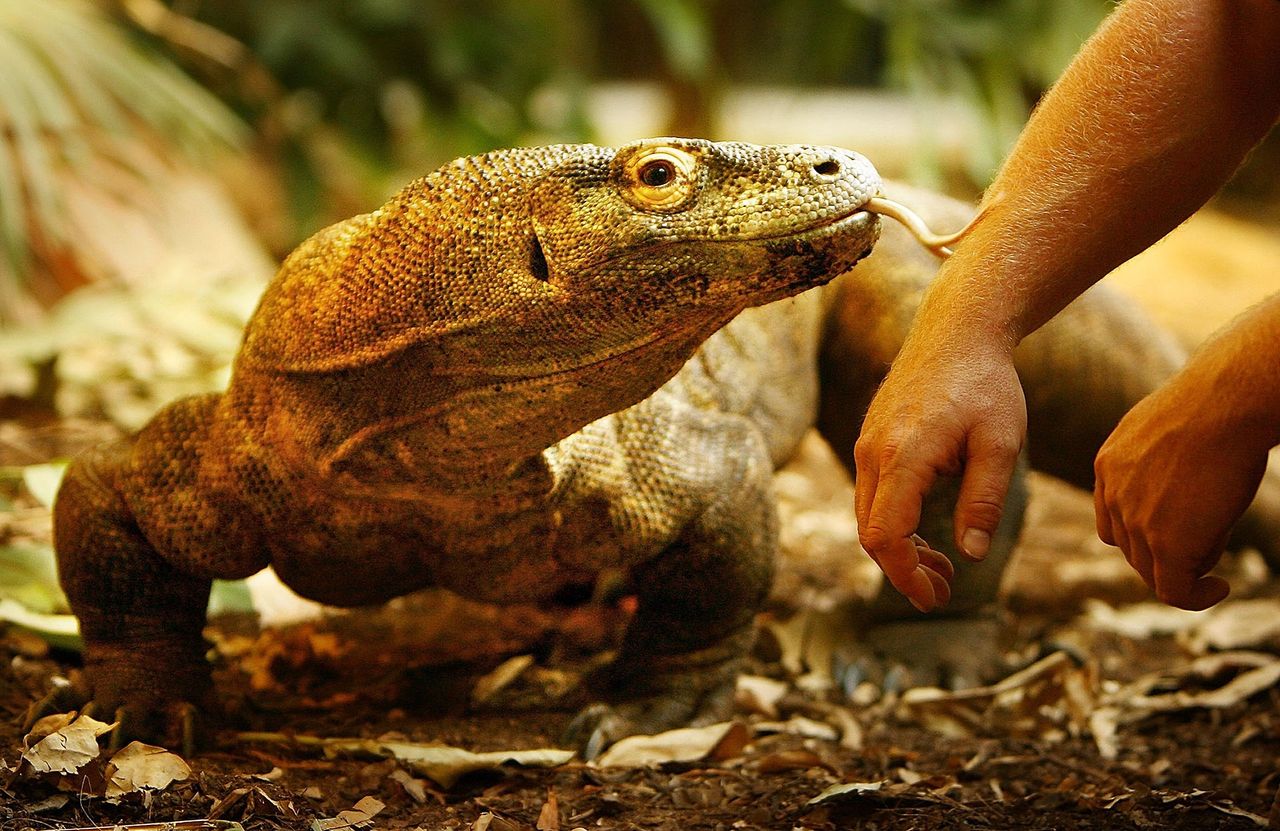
(77, 90)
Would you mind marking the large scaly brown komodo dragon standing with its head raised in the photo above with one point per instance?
(528, 368)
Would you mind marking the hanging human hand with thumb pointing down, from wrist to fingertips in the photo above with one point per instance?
(945, 408)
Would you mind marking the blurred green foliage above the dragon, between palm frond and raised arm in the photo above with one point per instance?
(410, 84)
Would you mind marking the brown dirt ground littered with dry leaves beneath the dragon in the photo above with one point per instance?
(1119, 714)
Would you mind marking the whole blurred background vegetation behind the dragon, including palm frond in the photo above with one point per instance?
(158, 157)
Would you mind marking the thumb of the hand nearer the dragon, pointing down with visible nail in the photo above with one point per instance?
(989, 469)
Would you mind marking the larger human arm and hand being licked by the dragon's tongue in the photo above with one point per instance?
(1151, 118)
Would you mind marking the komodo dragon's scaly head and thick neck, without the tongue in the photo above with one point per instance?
(588, 273)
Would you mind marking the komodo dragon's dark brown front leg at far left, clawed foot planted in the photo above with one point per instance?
(141, 536)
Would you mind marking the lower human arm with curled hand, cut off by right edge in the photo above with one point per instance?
(1186, 462)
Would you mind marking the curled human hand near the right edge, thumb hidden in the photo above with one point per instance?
(1172, 481)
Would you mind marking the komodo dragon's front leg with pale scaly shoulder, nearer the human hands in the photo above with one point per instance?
(701, 482)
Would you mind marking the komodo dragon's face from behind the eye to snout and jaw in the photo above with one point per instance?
(678, 226)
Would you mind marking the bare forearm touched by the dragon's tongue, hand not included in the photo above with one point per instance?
(1150, 121)
